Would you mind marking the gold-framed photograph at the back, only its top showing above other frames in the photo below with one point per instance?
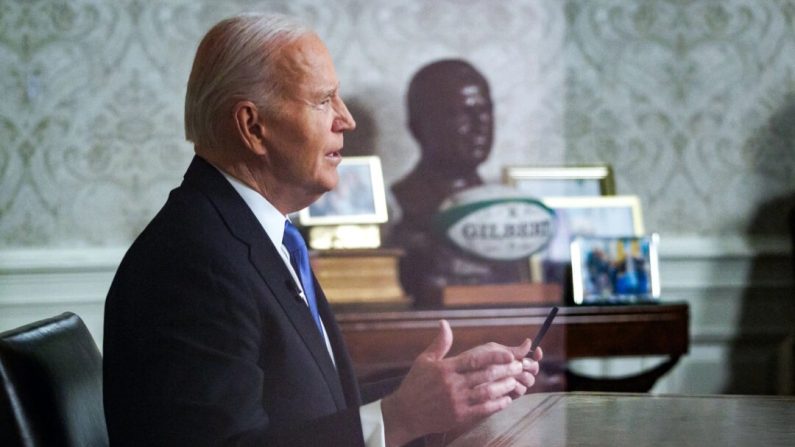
(561, 181)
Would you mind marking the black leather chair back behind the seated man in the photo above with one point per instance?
(51, 394)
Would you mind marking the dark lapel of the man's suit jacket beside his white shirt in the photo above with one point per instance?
(242, 223)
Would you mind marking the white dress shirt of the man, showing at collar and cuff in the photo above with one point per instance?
(272, 221)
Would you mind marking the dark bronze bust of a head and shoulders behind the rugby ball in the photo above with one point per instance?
(451, 117)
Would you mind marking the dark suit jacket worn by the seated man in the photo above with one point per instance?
(206, 341)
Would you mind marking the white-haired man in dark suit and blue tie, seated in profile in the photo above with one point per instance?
(212, 335)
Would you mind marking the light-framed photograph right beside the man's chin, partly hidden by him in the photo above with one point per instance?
(359, 197)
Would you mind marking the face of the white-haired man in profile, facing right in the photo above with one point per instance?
(303, 131)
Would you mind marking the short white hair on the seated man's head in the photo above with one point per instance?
(235, 61)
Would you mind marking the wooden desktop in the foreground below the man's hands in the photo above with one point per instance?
(604, 419)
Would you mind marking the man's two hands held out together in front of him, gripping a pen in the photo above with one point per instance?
(440, 393)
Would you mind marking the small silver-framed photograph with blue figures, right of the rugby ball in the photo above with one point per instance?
(607, 270)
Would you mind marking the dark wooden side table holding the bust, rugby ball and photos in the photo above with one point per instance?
(384, 342)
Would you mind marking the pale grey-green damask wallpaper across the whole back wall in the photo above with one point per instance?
(692, 102)
